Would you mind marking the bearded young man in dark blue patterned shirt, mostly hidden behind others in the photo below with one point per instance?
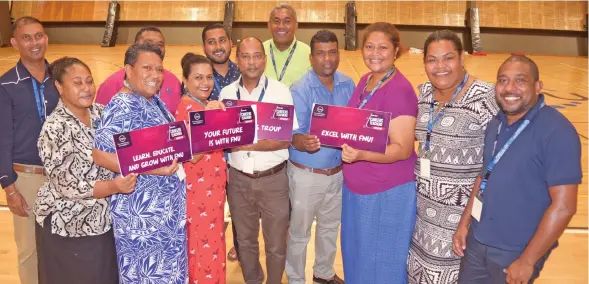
(216, 44)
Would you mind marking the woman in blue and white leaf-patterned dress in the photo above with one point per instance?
(150, 223)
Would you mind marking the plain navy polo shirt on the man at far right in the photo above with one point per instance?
(546, 153)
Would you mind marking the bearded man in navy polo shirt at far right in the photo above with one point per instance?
(527, 192)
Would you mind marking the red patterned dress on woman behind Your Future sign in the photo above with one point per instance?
(205, 199)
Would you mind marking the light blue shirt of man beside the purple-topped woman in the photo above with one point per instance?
(306, 92)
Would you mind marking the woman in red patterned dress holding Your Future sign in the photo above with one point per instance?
(206, 176)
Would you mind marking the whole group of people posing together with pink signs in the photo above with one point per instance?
(431, 214)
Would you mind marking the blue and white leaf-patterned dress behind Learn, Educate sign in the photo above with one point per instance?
(150, 223)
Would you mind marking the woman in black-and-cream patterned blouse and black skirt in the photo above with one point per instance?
(75, 242)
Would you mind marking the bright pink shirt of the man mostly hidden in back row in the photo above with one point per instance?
(170, 92)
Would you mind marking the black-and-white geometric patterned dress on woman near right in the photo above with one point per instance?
(456, 159)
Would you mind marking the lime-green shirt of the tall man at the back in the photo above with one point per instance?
(298, 65)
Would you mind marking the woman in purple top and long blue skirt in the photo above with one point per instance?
(379, 196)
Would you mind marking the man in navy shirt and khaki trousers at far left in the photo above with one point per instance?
(27, 97)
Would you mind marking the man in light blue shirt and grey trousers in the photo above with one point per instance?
(315, 177)
